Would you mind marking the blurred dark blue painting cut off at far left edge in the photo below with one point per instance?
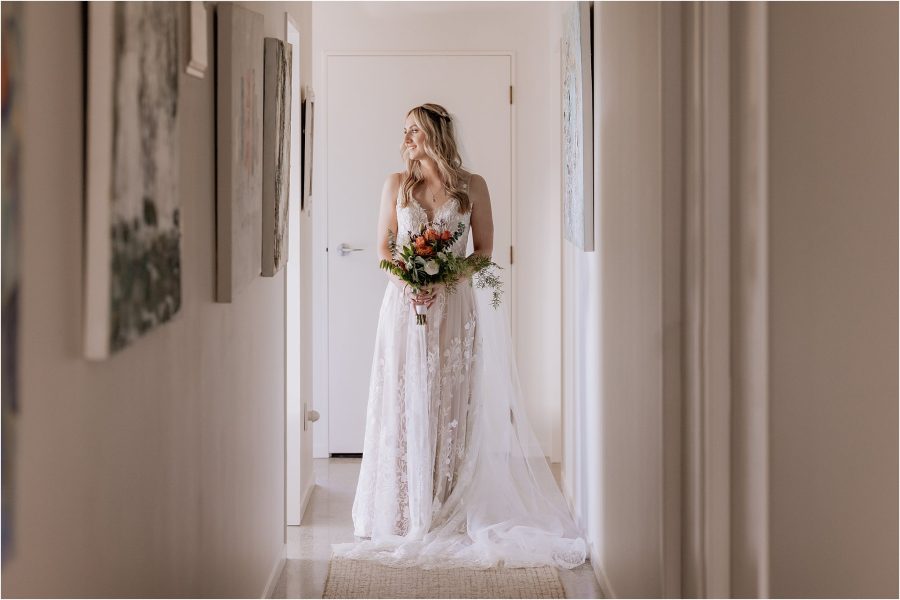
(11, 57)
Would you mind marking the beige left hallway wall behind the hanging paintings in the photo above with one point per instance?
(158, 472)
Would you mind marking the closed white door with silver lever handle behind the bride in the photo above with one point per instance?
(366, 102)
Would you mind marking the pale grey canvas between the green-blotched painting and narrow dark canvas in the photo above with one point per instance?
(239, 95)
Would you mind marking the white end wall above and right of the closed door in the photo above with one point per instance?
(498, 26)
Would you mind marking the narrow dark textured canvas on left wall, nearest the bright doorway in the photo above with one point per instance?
(276, 155)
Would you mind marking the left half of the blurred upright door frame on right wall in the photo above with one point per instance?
(706, 330)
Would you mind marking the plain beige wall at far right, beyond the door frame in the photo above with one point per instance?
(833, 299)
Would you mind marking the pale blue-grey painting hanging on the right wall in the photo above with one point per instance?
(577, 127)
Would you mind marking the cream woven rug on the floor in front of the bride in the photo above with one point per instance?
(368, 579)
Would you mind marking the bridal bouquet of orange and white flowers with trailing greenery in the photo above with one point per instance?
(428, 260)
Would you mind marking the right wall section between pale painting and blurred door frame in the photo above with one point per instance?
(614, 327)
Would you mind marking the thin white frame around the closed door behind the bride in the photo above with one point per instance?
(320, 227)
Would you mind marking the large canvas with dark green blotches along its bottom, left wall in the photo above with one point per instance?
(133, 257)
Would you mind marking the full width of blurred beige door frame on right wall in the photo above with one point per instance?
(725, 346)
